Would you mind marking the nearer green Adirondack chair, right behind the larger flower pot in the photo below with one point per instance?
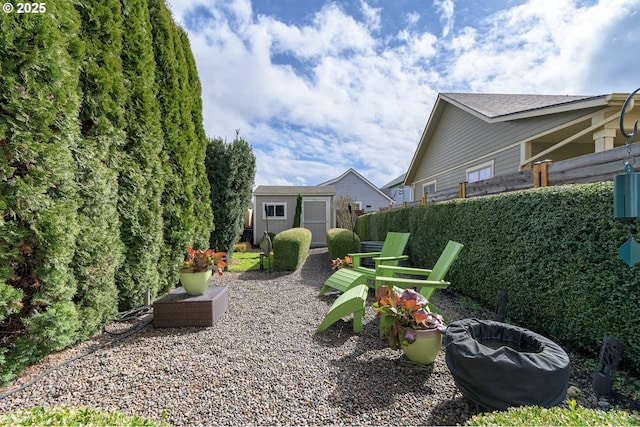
(432, 279)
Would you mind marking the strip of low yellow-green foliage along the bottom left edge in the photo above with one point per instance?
(66, 416)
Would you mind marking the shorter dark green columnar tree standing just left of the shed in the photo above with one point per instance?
(231, 170)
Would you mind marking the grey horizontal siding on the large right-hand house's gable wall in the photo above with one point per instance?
(462, 140)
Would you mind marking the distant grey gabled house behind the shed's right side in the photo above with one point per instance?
(367, 197)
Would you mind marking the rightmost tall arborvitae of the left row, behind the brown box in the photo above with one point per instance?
(185, 192)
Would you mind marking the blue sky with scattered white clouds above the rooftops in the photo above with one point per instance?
(318, 87)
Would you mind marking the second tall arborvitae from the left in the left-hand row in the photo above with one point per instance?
(98, 252)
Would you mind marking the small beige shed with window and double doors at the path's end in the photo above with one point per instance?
(275, 209)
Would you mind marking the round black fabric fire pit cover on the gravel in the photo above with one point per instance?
(498, 365)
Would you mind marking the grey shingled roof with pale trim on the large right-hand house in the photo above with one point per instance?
(494, 108)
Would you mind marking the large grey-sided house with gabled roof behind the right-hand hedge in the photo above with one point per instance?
(471, 137)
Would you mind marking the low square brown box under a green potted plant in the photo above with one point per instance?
(179, 310)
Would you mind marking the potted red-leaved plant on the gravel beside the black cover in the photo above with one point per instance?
(407, 323)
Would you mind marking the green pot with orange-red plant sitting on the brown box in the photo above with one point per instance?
(198, 267)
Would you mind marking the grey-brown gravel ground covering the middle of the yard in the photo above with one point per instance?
(261, 364)
